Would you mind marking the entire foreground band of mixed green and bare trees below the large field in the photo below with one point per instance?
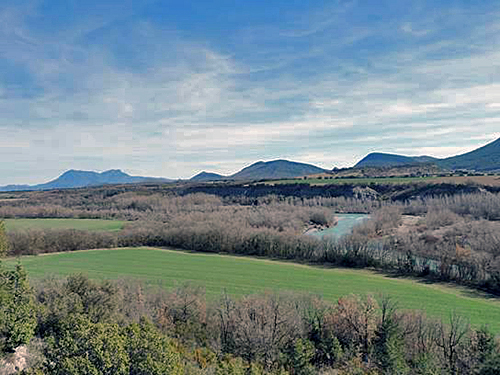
(77, 326)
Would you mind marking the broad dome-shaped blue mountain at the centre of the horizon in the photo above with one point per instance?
(275, 169)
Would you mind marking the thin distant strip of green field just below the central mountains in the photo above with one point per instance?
(354, 181)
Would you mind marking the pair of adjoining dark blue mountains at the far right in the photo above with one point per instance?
(483, 159)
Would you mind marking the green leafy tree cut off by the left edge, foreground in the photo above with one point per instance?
(17, 309)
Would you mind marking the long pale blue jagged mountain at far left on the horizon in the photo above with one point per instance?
(74, 179)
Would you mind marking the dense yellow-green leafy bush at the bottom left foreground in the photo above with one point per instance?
(77, 345)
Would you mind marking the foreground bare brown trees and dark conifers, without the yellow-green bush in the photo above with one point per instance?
(270, 333)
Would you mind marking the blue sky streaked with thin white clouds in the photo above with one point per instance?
(171, 88)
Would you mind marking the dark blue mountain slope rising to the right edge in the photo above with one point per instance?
(483, 159)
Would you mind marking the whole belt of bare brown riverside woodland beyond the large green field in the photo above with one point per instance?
(456, 238)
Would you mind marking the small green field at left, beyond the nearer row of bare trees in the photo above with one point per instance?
(81, 224)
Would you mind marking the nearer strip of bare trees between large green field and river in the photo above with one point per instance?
(475, 263)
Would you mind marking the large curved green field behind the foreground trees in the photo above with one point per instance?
(242, 275)
